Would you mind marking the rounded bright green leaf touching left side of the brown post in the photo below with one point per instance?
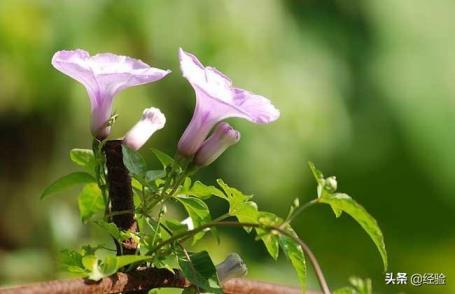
(90, 202)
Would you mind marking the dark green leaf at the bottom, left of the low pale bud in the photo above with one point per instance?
(199, 269)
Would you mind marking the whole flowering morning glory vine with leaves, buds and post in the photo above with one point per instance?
(127, 199)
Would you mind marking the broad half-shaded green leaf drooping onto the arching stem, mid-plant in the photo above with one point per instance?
(198, 212)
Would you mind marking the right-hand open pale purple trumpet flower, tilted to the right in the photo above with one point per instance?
(216, 100)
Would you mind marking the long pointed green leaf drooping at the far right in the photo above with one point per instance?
(344, 203)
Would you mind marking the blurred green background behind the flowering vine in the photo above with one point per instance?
(365, 88)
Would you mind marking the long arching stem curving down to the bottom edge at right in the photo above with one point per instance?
(305, 248)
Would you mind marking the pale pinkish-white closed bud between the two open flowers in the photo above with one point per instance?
(152, 120)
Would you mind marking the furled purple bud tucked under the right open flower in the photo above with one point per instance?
(222, 137)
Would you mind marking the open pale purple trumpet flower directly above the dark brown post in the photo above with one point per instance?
(104, 75)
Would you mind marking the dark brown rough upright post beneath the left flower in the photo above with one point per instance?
(120, 194)
